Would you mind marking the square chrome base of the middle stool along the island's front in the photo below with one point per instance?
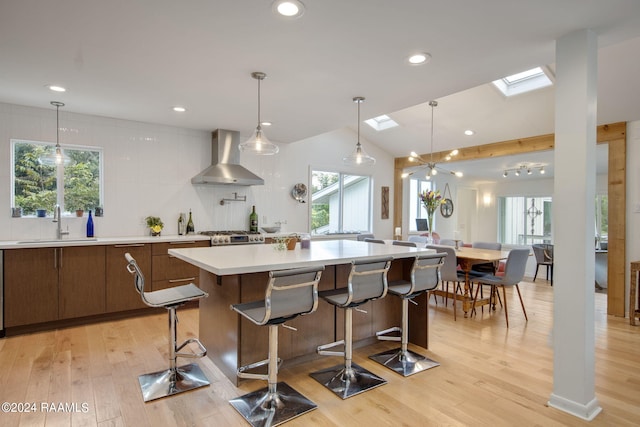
(338, 381)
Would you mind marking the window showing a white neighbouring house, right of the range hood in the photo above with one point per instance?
(340, 203)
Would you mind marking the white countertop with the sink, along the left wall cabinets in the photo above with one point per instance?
(45, 243)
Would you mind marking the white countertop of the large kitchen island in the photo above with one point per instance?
(225, 260)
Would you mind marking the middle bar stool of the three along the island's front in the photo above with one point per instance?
(367, 281)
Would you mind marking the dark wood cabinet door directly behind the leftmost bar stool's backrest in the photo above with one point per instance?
(121, 294)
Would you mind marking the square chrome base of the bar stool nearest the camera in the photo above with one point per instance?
(261, 408)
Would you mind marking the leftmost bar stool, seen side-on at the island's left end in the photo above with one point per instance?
(175, 379)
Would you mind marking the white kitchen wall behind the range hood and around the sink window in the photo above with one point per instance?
(148, 170)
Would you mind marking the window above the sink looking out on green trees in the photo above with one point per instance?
(36, 185)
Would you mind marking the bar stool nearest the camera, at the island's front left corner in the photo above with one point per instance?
(289, 293)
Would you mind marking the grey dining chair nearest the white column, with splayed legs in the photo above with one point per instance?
(513, 274)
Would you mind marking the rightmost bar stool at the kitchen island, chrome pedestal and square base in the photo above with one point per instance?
(424, 278)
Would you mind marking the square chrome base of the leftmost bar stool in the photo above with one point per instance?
(159, 384)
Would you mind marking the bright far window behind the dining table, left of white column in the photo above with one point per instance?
(524, 220)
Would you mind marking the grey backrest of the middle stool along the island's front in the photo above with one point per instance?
(368, 279)
